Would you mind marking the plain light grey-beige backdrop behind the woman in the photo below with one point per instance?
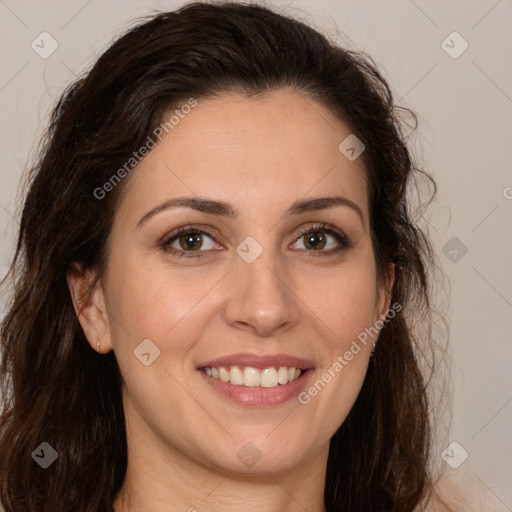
(464, 107)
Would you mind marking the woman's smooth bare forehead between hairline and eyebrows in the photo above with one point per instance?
(276, 148)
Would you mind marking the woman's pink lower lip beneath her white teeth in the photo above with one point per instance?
(258, 396)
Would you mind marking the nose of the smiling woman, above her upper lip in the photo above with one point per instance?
(262, 298)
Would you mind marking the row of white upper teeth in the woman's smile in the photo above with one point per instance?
(253, 377)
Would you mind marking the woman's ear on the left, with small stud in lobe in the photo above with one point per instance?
(89, 304)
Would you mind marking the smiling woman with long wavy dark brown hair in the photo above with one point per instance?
(219, 283)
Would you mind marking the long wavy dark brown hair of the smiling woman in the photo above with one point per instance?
(56, 389)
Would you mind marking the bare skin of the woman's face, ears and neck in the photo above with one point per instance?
(259, 155)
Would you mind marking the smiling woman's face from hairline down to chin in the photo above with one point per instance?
(267, 279)
